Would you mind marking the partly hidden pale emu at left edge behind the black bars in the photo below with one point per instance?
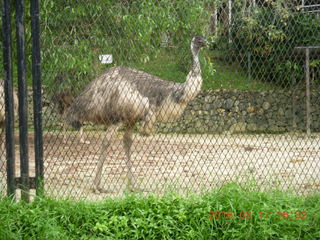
(2, 121)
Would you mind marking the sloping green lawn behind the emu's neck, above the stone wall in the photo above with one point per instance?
(166, 67)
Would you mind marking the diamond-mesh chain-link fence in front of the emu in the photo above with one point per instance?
(234, 105)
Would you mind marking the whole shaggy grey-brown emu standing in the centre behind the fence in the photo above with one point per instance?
(123, 96)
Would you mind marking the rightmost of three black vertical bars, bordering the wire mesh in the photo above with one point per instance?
(37, 103)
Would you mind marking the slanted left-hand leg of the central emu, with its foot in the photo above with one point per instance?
(111, 131)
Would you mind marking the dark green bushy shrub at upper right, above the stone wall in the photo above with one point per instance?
(269, 33)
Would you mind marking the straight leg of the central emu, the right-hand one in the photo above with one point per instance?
(127, 142)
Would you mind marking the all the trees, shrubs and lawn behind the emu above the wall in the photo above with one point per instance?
(155, 35)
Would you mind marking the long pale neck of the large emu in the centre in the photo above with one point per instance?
(193, 83)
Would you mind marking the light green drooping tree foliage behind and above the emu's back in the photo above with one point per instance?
(134, 32)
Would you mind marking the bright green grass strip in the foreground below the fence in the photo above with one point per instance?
(169, 217)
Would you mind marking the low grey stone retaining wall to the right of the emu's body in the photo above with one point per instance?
(216, 111)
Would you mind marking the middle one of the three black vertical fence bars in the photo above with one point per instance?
(23, 112)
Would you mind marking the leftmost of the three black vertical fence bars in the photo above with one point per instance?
(8, 88)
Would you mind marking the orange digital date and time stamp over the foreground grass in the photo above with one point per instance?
(257, 214)
